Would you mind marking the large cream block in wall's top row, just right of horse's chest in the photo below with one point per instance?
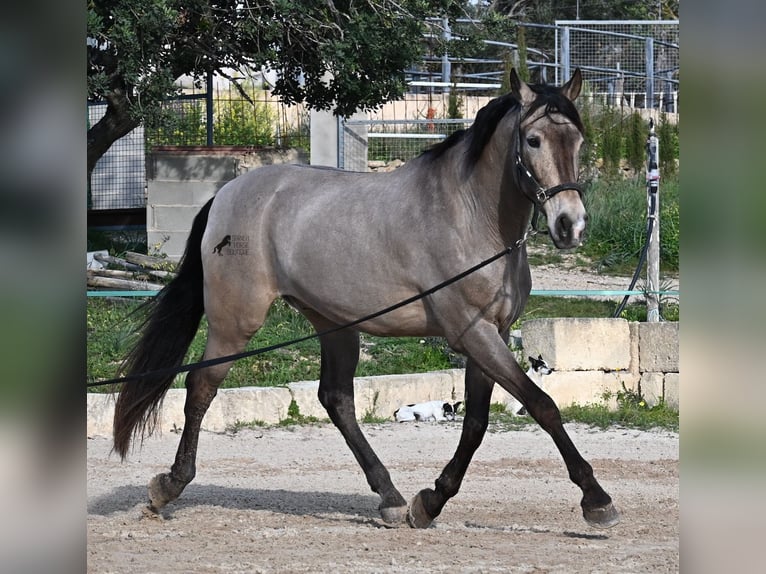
(576, 344)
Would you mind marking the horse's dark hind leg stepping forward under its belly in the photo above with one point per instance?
(340, 355)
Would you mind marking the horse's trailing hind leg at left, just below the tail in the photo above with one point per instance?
(201, 387)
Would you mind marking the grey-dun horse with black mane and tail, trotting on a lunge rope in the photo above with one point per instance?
(337, 245)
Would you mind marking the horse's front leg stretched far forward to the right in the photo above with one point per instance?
(483, 344)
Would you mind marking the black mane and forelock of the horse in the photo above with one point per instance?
(483, 127)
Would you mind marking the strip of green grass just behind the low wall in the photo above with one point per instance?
(111, 330)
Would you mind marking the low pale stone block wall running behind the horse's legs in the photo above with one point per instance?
(590, 356)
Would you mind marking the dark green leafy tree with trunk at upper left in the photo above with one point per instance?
(339, 54)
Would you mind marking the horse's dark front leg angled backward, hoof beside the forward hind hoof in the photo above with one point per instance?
(428, 503)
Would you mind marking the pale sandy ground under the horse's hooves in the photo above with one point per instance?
(294, 500)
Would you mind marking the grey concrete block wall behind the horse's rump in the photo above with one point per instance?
(181, 180)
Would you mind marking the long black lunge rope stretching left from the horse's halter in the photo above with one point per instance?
(262, 350)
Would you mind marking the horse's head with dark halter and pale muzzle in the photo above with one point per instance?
(548, 148)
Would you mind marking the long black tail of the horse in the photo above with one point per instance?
(171, 320)
